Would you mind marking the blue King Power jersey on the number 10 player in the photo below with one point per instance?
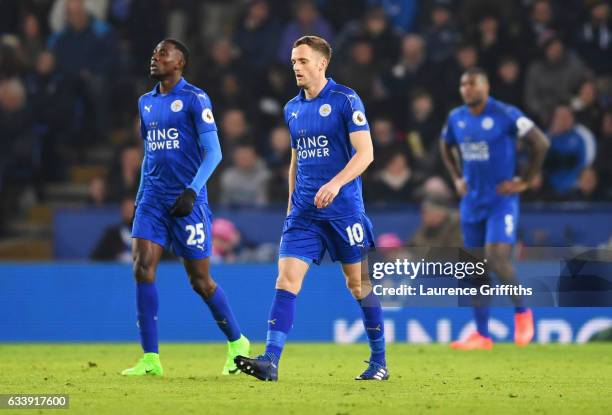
(320, 129)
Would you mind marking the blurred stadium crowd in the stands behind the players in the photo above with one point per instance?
(71, 72)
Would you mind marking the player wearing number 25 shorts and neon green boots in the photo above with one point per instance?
(181, 152)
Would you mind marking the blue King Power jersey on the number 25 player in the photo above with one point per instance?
(170, 125)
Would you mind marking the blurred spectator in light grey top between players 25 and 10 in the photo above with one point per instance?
(246, 181)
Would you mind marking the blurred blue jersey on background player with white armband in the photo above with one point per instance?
(487, 143)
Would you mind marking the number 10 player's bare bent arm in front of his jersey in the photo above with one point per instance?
(363, 157)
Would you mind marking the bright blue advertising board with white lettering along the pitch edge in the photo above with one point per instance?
(86, 302)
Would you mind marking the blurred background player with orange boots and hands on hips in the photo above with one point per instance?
(485, 131)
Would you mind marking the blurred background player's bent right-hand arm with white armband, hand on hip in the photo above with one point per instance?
(537, 144)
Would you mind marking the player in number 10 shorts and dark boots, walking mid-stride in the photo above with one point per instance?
(331, 148)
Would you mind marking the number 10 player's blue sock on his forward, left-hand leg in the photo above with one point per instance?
(280, 322)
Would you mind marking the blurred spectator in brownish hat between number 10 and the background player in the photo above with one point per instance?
(440, 226)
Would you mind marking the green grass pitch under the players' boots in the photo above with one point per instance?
(317, 379)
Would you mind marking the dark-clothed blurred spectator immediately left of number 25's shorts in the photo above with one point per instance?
(116, 242)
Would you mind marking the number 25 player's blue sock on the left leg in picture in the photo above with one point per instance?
(147, 304)
